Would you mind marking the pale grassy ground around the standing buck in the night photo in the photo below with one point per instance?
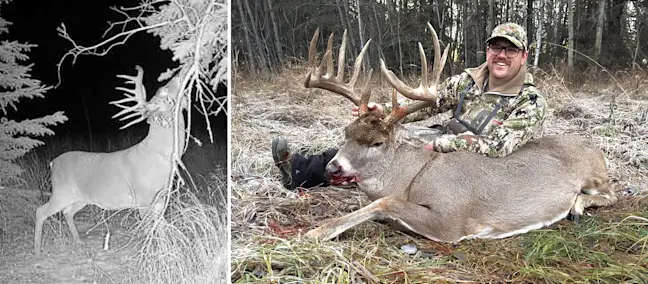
(189, 246)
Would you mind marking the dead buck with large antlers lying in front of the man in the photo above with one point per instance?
(453, 196)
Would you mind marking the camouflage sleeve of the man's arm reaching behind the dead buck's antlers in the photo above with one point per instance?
(448, 98)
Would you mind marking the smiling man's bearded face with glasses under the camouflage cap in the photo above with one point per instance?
(505, 65)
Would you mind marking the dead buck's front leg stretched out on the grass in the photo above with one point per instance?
(408, 214)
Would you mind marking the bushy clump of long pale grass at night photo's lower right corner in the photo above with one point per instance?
(188, 245)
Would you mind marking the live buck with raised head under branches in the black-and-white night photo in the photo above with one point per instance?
(128, 178)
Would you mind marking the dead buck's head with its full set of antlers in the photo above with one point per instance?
(370, 140)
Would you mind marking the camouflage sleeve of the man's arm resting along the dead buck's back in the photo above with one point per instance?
(523, 123)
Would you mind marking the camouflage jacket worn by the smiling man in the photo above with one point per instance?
(519, 119)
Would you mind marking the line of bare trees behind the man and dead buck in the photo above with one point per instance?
(269, 35)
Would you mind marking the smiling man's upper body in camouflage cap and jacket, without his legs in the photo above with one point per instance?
(497, 106)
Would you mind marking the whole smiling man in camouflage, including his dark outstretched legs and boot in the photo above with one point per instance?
(497, 109)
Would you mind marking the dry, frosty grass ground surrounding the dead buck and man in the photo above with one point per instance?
(267, 219)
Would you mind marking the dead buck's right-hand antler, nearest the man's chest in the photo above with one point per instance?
(425, 92)
